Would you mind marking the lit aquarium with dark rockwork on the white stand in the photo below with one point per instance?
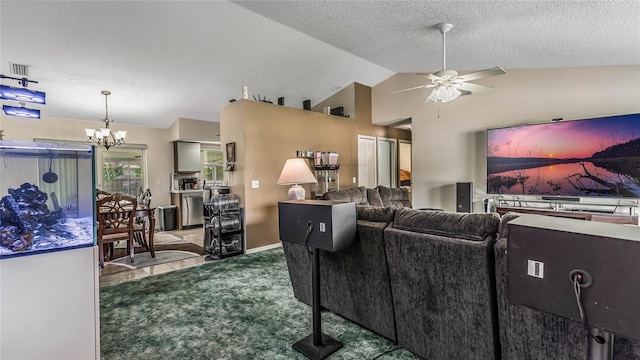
(46, 197)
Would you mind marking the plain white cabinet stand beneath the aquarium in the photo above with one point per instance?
(49, 306)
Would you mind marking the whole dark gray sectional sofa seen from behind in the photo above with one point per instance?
(434, 282)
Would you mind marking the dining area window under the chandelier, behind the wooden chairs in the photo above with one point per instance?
(121, 169)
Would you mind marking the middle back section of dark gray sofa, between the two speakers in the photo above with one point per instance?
(441, 276)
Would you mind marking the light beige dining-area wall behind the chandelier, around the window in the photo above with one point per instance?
(159, 152)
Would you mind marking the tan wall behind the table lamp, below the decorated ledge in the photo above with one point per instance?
(266, 135)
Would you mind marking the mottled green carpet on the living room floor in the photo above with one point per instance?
(237, 308)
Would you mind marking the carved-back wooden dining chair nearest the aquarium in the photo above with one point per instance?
(116, 214)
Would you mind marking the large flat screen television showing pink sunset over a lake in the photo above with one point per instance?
(598, 157)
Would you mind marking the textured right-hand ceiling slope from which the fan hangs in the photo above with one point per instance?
(402, 36)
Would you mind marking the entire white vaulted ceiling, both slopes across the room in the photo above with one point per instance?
(167, 59)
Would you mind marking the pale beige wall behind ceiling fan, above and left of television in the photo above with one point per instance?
(449, 139)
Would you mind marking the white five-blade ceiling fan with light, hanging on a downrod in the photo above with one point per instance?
(447, 84)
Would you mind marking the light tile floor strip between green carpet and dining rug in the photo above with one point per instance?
(194, 235)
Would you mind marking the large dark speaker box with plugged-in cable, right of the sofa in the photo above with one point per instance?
(579, 270)
